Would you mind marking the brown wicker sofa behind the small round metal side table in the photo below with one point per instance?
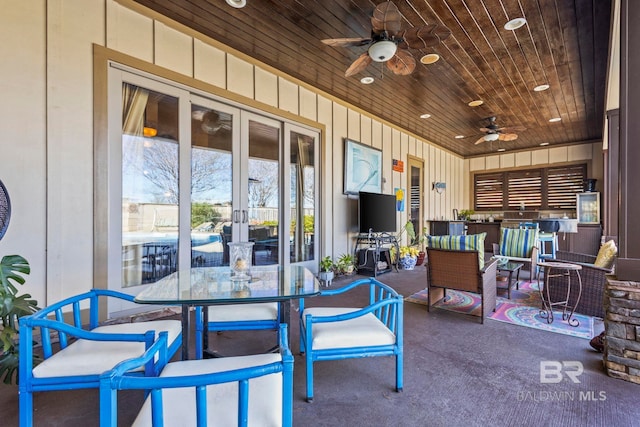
(593, 282)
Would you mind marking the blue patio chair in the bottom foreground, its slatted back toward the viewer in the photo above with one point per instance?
(229, 391)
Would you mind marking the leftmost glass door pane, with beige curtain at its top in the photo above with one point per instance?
(149, 185)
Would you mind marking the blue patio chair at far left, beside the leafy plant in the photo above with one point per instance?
(76, 350)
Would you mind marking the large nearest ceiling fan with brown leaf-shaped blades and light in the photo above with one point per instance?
(389, 43)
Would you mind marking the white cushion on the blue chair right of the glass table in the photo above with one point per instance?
(366, 330)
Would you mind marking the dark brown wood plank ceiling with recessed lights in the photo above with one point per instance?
(564, 45)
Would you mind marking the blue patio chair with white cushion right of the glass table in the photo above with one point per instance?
(336, 333)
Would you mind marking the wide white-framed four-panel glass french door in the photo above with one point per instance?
(189, 174)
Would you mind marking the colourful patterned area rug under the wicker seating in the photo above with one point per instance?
(522, 309)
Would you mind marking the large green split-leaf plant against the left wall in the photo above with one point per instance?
(12, 307)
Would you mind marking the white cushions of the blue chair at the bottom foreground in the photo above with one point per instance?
(179, 404)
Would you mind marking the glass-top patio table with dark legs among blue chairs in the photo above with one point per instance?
(204, 286)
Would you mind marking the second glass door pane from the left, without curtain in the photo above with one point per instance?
(212, 142)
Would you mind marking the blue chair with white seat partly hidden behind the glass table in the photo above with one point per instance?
(234, 317)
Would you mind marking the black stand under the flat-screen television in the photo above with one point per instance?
(373, 254)
